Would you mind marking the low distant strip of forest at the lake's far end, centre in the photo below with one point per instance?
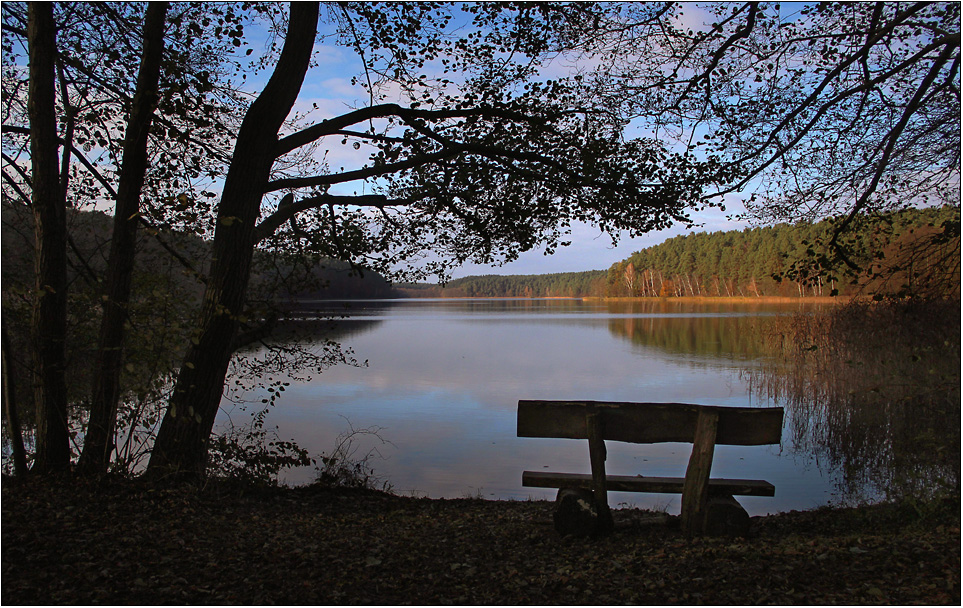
(559, 285)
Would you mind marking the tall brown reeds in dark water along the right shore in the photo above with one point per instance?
(873, 390)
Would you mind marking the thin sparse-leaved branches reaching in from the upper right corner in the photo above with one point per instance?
(828, 109)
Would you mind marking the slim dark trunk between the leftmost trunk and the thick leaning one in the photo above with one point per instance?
(98, 442)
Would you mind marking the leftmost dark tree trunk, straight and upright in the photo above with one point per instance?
(49, 322)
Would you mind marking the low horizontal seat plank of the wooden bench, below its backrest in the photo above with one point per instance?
(637, 483)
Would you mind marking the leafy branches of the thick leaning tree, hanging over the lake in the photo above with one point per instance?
(478, 169)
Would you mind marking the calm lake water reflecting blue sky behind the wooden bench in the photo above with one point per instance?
(443, 379)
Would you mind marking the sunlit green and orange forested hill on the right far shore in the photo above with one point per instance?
(912, 251)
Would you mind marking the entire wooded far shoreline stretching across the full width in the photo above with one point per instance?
(913, 251)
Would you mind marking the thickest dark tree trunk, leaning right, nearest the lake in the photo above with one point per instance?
(181, 446)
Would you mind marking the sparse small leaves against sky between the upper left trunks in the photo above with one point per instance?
(98, 56)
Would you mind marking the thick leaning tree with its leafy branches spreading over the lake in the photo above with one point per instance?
(496, 167)
